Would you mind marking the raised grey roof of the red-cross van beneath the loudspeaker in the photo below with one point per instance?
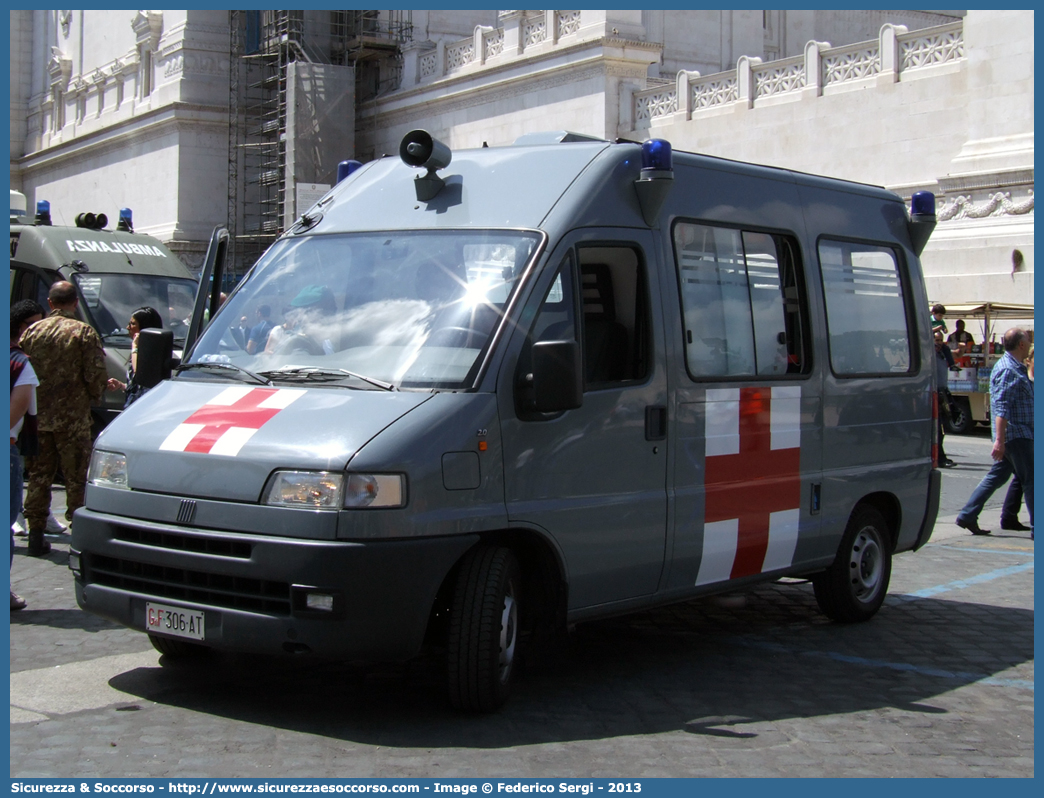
(518, 186)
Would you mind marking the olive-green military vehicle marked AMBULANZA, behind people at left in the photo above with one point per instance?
(116, 272)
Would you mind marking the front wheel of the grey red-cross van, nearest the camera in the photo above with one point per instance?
(482, 644)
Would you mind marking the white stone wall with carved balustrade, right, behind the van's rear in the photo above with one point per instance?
(947, 109)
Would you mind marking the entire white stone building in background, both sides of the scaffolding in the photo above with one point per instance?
(131, 109)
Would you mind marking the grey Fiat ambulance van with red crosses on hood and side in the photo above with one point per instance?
(507, 390)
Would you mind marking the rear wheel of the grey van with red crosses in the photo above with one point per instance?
(855, 588)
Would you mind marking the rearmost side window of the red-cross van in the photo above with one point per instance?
(868, 320)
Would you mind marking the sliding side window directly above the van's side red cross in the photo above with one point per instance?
(743, 303)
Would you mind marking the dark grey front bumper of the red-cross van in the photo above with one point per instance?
(252, 588)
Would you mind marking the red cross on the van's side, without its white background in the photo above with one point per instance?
(754, 483)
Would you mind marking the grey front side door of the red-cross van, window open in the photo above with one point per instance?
(595, 478)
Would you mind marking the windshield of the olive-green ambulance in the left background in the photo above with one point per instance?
(111, 299)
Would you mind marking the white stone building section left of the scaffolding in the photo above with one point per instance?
(124, 109)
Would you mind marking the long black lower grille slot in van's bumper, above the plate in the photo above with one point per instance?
(201, 588)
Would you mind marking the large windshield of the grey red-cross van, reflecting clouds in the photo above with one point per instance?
(409, 310)
